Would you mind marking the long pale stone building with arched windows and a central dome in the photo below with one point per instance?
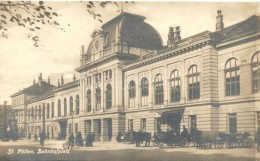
(130, 81)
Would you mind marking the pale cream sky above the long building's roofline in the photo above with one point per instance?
(21, 62)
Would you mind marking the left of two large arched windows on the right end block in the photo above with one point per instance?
(232, 76)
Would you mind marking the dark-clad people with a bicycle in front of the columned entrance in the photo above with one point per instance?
(78, 140)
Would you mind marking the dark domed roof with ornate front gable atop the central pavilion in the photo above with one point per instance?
(126, 28)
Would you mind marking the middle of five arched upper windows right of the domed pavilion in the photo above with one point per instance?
(158, 90)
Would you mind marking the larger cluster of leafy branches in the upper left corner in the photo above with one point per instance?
(27, 14)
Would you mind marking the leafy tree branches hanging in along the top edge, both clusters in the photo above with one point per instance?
(32, 15)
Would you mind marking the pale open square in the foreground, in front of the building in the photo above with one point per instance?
(119, 150)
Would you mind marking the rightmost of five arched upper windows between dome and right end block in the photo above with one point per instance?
(193, 83)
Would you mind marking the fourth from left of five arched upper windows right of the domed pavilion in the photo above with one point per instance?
(175, 86)
